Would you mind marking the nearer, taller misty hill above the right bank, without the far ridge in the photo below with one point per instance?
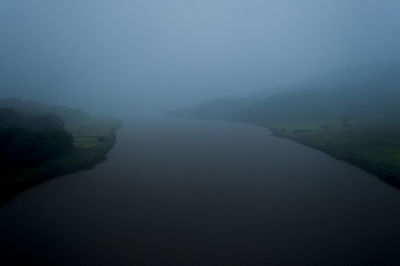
(353, 93)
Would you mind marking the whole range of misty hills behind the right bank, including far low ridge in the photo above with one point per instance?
(354, 92)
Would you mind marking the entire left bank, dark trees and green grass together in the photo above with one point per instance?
(39, 141)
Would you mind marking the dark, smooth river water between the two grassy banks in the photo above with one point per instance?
(181, 192)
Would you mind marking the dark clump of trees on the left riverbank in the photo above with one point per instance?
(30, 140)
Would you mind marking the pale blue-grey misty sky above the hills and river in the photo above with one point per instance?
(130, 56)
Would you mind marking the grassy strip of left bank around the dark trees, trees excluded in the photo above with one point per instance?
(92, 142)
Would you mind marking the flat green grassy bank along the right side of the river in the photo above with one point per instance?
(374, 148)
